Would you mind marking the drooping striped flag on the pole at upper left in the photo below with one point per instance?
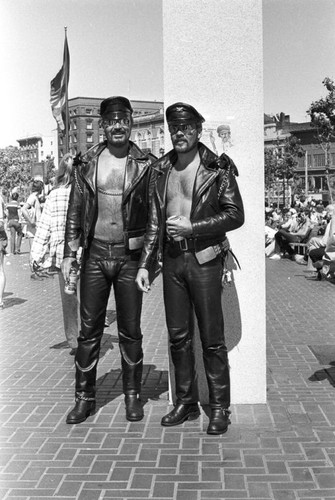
(58, 91)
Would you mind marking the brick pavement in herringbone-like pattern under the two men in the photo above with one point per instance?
(284, 450)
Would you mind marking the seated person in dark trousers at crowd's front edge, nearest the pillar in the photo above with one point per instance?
(295, 234)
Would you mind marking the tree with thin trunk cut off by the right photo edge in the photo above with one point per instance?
(322, 114)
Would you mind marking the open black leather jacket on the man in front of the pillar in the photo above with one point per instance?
(217, 205)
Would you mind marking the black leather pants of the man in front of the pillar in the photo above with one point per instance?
(188, 286)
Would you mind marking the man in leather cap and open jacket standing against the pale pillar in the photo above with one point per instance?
(195, 201)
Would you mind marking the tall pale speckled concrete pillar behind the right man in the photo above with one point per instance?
(213, 60)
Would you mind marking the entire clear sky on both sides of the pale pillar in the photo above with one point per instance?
(116, 47)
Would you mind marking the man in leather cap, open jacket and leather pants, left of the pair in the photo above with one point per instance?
(107, 216)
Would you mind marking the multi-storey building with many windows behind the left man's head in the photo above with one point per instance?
(85, 132)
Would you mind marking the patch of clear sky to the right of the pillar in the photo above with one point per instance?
(298, 53)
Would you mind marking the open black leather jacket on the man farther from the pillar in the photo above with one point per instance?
(82, 208)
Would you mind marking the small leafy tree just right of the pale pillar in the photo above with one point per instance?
(281, 162)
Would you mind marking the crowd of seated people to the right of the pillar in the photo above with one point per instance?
(304, 233)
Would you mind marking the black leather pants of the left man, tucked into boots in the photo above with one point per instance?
(99, 273)
